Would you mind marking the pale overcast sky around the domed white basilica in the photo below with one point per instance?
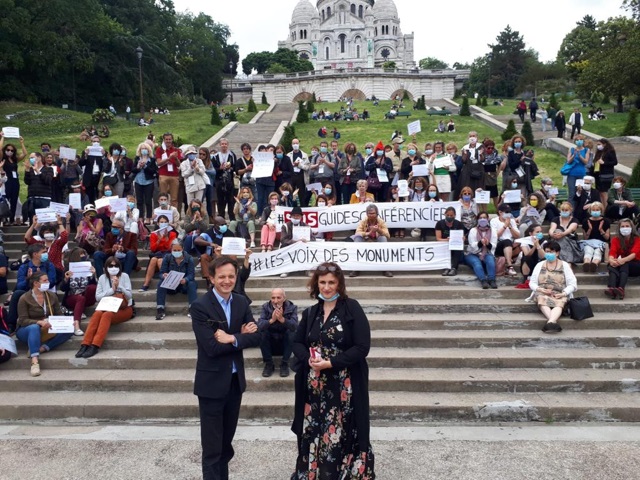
(257, 25)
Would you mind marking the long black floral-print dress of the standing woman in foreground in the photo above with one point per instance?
(330, 449)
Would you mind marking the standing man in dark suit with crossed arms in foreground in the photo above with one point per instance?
(224, 326)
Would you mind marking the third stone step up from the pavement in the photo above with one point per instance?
(561, 357)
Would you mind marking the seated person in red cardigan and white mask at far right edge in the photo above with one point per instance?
(624, 259)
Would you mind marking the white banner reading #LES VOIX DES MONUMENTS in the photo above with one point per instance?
(362, 256)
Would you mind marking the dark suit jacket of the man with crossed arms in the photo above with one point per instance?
(215, 360)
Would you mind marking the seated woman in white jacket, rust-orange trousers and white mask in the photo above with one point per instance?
(114, 283)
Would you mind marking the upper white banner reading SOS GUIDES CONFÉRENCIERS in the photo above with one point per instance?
(346, 217)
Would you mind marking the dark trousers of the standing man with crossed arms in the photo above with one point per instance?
(218, 422)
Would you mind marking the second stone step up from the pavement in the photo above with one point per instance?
(457, 380)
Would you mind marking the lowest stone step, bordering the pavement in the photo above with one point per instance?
(405, 406)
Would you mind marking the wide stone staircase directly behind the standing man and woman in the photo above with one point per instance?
(442, 350)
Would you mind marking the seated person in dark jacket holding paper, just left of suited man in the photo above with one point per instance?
(180, 262)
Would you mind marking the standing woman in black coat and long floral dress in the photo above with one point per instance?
(332, 398)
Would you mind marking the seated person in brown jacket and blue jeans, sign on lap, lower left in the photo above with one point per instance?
(33, 326)
